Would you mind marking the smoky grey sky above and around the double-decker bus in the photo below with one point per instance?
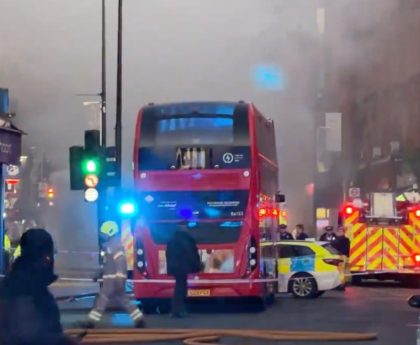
(174, 50)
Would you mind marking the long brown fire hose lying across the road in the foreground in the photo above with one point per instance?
(207, 336)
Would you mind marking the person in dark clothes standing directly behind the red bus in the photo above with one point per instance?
(182, 258)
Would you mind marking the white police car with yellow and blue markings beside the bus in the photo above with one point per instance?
(304, 268)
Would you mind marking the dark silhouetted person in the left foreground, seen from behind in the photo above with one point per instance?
(29, 314)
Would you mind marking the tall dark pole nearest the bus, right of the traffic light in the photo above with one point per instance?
(118, 124)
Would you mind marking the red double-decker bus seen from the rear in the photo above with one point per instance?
(215, 165)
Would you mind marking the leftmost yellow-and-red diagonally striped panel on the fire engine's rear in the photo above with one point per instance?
(358, 243)
